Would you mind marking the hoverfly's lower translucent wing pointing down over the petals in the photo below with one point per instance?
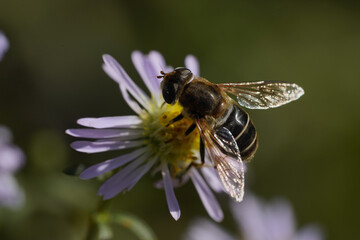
(228, 165)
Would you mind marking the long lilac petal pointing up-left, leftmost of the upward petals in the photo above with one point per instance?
(116, 72)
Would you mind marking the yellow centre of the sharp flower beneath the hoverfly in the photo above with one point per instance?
(169, 142)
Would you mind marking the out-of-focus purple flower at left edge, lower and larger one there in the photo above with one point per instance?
(11, 160)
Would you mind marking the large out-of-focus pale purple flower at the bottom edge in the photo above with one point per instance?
(257, 221)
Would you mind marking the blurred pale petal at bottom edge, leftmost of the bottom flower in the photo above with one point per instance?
(203, 229)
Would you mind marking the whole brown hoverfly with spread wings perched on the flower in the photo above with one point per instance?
(227, 133)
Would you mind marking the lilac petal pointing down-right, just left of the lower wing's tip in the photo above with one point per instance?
(207, 197)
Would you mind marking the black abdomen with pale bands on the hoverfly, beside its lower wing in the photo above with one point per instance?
(243, 130)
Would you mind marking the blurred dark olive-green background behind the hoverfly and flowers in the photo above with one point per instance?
(309, 149)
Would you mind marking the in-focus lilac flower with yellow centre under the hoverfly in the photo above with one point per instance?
(154, 144)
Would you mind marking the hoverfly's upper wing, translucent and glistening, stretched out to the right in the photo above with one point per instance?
(263, 94)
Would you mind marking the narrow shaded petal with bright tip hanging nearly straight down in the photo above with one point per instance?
(169, 193)
